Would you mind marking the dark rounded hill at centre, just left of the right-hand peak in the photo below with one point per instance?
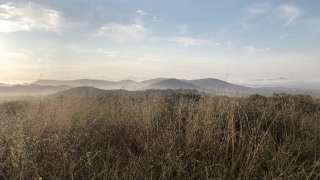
(172, 84)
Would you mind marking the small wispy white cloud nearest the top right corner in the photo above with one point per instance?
(289, 13)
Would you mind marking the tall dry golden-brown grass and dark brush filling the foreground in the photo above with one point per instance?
(161, 136)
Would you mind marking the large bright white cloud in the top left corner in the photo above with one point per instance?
(28, 16)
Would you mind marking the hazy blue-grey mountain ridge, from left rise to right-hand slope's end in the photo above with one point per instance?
(204, 85)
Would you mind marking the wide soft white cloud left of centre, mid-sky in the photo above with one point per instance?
(122, 32)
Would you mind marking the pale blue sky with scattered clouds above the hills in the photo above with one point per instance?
(233, 40)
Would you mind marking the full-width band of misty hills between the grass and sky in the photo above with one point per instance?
(208, 85)
